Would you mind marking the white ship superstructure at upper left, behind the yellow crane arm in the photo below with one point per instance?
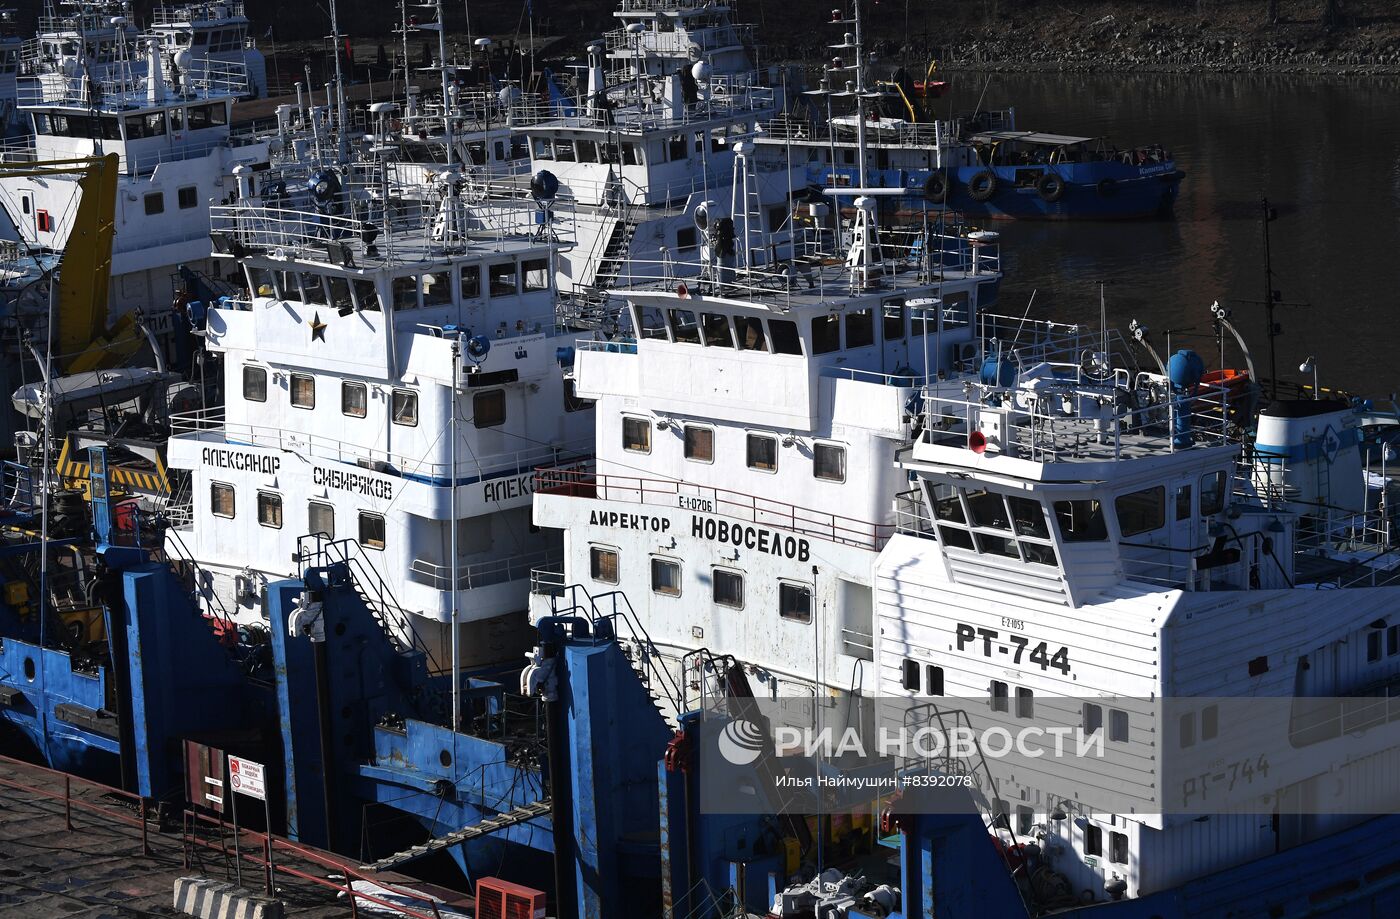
(176, 153)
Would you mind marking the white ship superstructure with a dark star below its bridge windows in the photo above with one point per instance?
(391, 386)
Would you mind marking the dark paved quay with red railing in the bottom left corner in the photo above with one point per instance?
(97, 869)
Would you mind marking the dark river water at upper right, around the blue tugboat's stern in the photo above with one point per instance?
(1325, 151)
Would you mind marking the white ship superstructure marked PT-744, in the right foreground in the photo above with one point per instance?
(1094, 541)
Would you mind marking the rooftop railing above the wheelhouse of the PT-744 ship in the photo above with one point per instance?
(1035, 429)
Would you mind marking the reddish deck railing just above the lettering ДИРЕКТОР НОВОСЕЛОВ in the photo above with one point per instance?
(752, 509)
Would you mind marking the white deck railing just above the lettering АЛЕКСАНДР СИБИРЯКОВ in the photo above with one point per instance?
(212, 425)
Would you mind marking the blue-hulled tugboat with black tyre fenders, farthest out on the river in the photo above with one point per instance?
(979, 165)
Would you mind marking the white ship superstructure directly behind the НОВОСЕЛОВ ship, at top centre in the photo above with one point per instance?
(663, 124)
